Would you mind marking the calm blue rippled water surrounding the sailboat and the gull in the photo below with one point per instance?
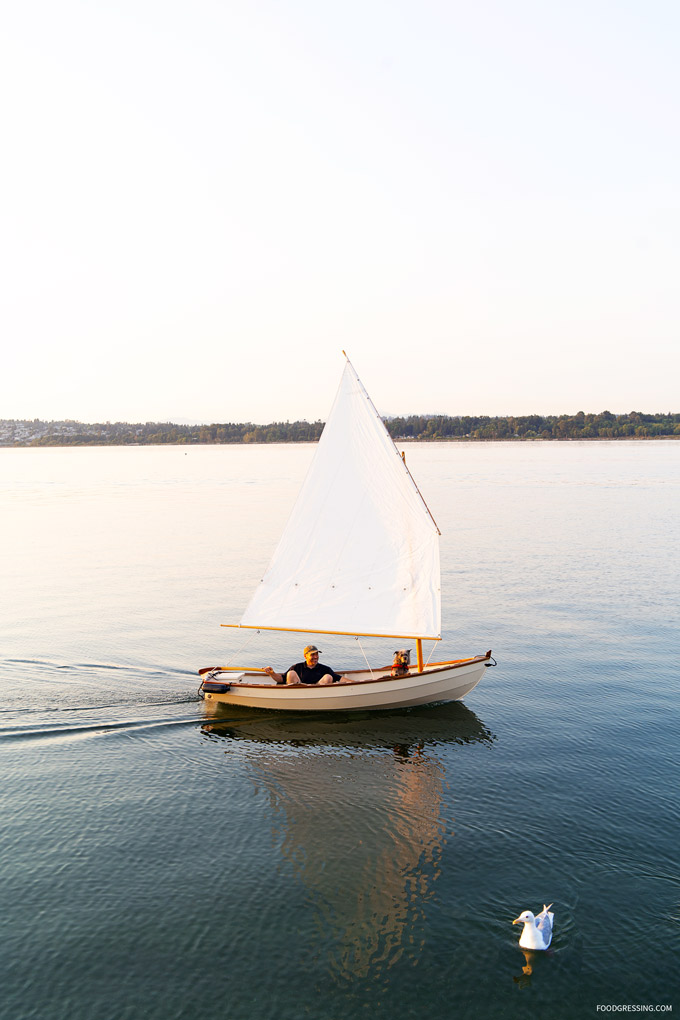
(158, 864)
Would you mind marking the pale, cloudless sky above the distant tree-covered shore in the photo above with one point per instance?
(203, 202)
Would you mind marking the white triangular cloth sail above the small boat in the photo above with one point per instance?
(360, 553)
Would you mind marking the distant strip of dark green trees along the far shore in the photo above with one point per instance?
(433, 428)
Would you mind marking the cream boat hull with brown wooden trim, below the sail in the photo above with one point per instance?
(441, 683)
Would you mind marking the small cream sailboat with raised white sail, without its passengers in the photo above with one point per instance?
(359, 557)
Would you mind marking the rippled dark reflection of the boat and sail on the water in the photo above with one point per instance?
(361, 811)
